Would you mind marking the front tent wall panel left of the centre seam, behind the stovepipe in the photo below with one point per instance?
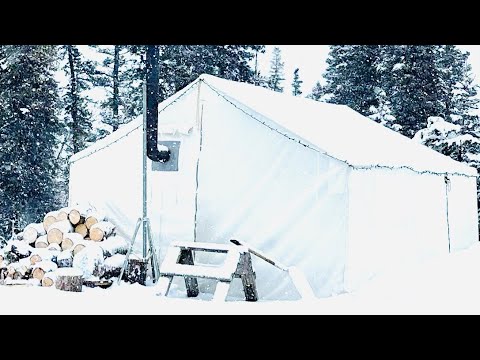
(111, 179)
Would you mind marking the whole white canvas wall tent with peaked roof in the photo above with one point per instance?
(315, 185)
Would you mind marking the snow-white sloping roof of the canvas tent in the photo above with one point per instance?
(335, 130)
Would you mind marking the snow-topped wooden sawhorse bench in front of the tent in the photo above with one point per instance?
(179, 262)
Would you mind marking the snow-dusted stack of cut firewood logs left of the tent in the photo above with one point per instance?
(77, 237)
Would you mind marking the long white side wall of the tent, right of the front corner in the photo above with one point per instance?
(399, 216)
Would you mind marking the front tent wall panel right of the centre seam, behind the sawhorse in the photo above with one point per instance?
(287, 200)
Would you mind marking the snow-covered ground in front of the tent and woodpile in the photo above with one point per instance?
(448, 284)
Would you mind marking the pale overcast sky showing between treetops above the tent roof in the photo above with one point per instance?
(310, 59)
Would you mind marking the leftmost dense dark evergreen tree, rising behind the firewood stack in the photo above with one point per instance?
(29, 134)
